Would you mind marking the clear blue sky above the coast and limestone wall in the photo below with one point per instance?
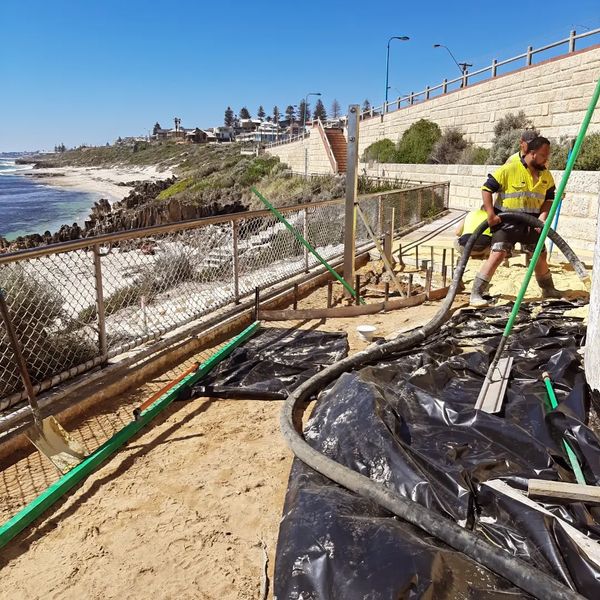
(84, 71)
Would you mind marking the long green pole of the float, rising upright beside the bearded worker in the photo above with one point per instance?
(541, 242)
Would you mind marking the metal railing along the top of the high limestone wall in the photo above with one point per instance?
(463, 80)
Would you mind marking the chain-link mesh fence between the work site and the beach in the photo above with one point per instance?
(77, 304)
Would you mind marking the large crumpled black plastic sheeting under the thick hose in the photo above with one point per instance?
(409, 423)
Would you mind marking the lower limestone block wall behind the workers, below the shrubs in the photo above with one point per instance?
(578, 220)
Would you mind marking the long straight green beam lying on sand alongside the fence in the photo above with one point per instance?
(58, 489)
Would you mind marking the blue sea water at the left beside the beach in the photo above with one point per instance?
(27, 206)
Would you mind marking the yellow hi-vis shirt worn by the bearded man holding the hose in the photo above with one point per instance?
(516, 190)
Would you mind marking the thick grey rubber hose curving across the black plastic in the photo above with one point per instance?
(515, 570)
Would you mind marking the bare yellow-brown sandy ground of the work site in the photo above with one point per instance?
(183, 509)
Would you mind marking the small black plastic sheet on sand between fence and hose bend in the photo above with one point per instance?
(273, 363)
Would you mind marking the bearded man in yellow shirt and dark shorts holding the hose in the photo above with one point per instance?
(523, 186)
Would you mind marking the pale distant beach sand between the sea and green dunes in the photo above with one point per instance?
(101, 180)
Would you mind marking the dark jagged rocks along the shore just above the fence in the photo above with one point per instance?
(139, 209)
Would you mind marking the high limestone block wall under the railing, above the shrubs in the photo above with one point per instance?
(554, 94)
